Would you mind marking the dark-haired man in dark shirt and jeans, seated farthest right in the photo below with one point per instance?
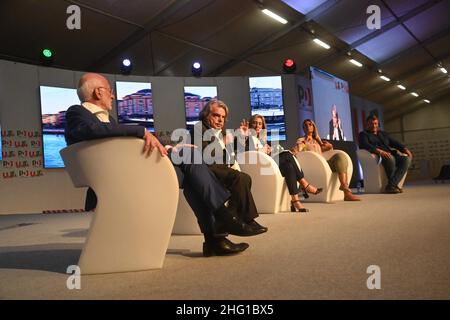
(380, 143)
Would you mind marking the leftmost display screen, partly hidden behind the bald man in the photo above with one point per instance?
(54, 103)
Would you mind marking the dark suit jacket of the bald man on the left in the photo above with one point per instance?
(81, 125)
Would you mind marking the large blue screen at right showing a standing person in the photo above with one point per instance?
(331, 106)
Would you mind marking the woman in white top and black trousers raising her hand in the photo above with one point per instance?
(289, 168)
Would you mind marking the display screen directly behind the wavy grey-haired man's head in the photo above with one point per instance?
(195, 98)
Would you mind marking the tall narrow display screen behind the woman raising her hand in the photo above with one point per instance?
(266, 99)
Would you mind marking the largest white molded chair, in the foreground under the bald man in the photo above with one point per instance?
(131, 227)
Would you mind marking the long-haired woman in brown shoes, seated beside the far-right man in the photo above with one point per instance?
(311, 141)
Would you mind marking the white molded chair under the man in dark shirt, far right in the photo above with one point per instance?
(375, 179)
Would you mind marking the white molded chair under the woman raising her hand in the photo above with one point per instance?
(269, 188)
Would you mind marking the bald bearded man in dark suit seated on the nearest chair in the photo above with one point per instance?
(204, 193)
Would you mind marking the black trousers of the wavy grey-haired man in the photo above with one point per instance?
(239, 184)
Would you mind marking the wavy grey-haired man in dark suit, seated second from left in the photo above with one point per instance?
(219, 158)
